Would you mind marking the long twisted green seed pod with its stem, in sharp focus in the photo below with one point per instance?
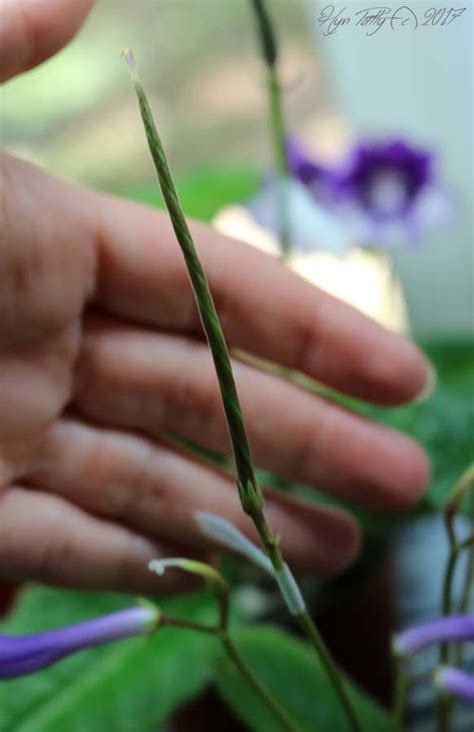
(250, 493)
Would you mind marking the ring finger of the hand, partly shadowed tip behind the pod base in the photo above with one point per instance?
(156, 491)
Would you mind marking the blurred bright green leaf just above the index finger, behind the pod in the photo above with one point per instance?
(203, 192)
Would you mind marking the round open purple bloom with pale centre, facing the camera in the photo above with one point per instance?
(388, 193)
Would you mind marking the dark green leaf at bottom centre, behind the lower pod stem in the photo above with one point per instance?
(293, 675)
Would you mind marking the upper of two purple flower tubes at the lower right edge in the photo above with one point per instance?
(451, 628)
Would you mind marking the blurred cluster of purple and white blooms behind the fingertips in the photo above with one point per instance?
(385, 194)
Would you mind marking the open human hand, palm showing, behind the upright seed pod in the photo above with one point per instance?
(101, 352)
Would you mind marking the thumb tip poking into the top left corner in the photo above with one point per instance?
(33, 30)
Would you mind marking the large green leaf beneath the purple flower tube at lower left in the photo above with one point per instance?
(128, 686)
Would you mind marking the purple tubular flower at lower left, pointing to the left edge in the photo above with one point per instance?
(21, 655)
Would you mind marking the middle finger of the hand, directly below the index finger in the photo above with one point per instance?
(154, 382)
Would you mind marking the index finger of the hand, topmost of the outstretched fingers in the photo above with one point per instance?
(264, 308)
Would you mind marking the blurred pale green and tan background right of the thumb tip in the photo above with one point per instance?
(198, 60)
